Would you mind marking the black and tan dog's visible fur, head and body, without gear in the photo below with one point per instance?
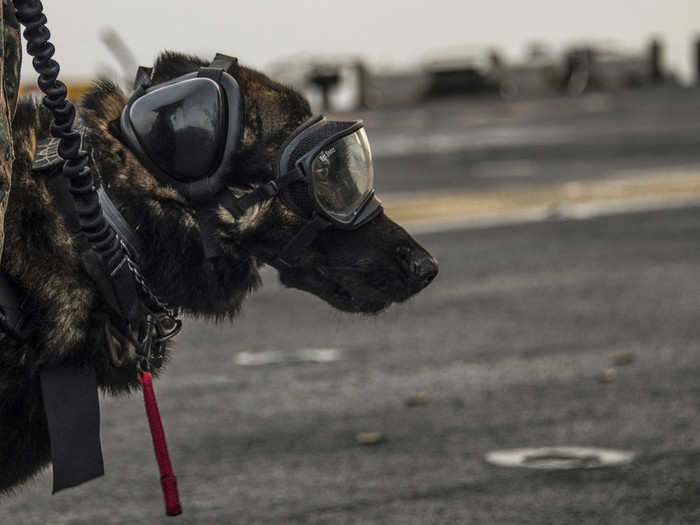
(362, 270)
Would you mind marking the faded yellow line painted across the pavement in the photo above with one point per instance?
(652, 188)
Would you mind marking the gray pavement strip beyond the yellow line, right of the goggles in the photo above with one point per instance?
(476, 143)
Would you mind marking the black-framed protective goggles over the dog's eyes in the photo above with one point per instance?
(330, 164)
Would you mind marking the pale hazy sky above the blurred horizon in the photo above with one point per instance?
(386, 32)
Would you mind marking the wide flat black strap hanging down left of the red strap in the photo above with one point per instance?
(73, 415)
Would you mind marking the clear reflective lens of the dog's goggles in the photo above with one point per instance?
(343, 175)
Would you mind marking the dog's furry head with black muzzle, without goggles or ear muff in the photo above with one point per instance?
(360, 270)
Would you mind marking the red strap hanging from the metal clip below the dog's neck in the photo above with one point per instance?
(168, 481)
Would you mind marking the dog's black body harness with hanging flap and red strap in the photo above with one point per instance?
(70, 393)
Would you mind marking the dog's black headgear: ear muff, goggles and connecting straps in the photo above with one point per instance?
(187, 131)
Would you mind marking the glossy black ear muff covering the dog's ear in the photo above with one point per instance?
(187, 130)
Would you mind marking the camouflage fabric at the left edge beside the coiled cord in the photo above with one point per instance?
(10, 58)
